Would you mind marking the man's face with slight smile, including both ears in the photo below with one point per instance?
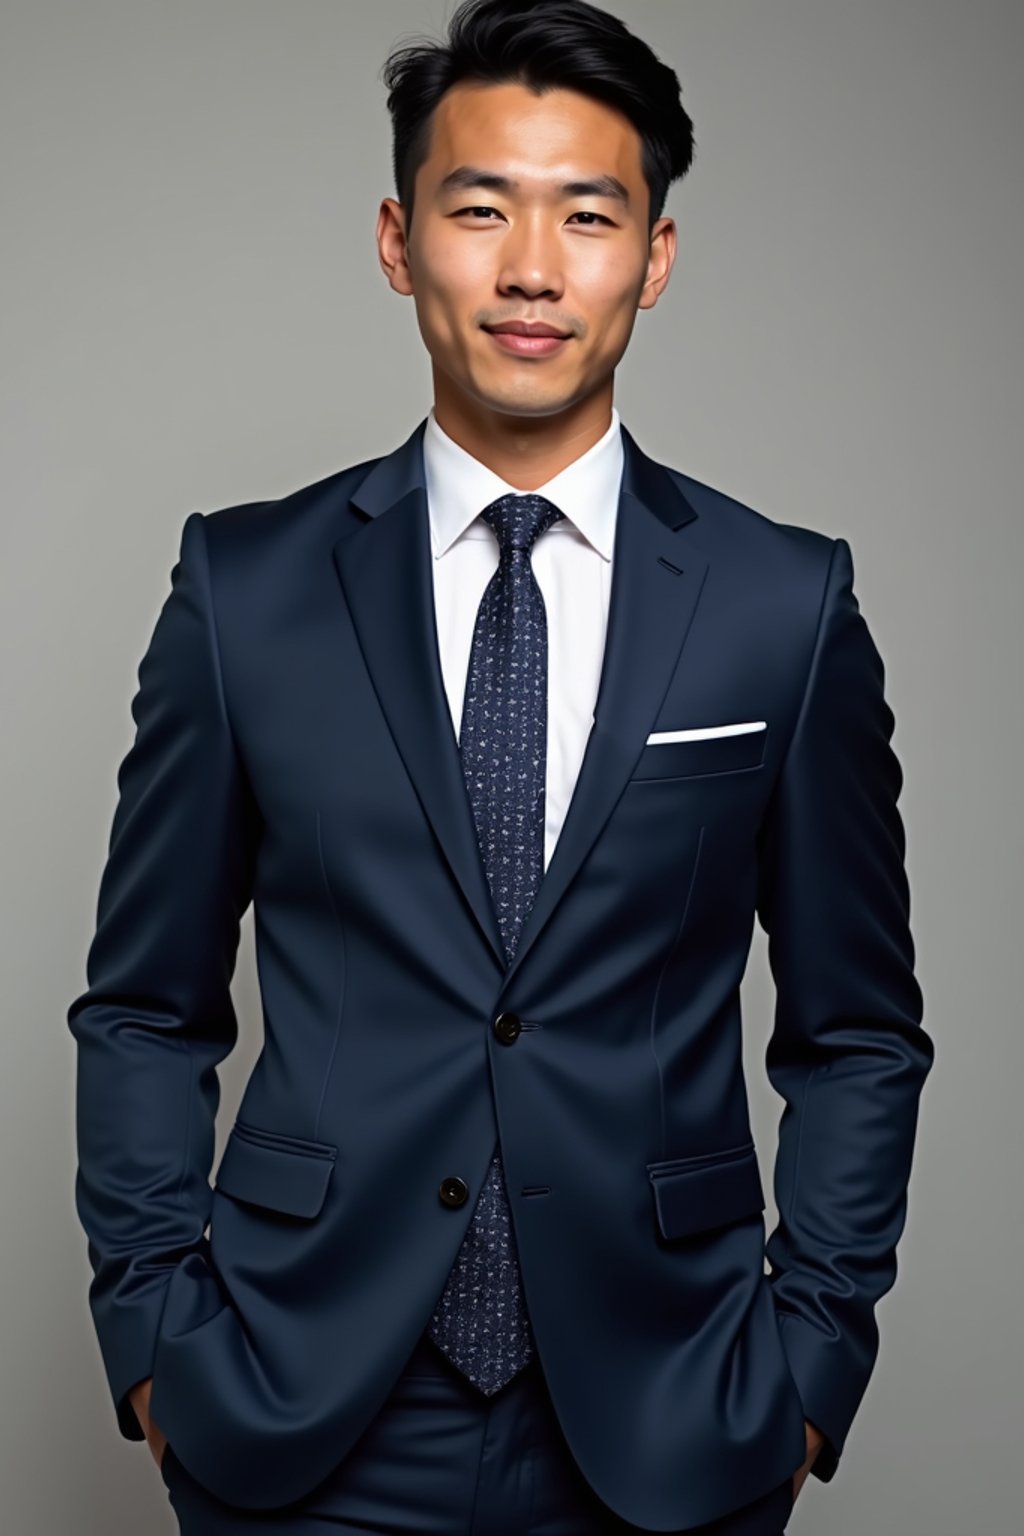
(481, 254)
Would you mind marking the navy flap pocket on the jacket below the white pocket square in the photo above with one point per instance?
(699, 1194)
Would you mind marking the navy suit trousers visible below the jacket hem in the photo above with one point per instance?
(443, 1460)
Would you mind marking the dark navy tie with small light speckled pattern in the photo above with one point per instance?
(481, 1322)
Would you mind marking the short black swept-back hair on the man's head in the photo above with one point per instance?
(544, 45)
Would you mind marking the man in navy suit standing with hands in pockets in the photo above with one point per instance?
(509, 735)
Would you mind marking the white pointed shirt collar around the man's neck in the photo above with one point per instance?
(460, 488)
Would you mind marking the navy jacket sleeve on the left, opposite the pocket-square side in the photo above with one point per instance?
(157, 1016)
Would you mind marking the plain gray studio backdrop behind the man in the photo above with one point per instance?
(194, 316)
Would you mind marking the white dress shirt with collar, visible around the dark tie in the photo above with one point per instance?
(572, 563)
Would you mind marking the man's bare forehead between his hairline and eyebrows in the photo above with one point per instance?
(532, 137)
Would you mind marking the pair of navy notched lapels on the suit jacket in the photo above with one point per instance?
(386, 574)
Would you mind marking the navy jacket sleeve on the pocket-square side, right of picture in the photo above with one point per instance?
(848, 1053)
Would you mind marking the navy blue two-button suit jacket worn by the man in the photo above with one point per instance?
(294, 749)
